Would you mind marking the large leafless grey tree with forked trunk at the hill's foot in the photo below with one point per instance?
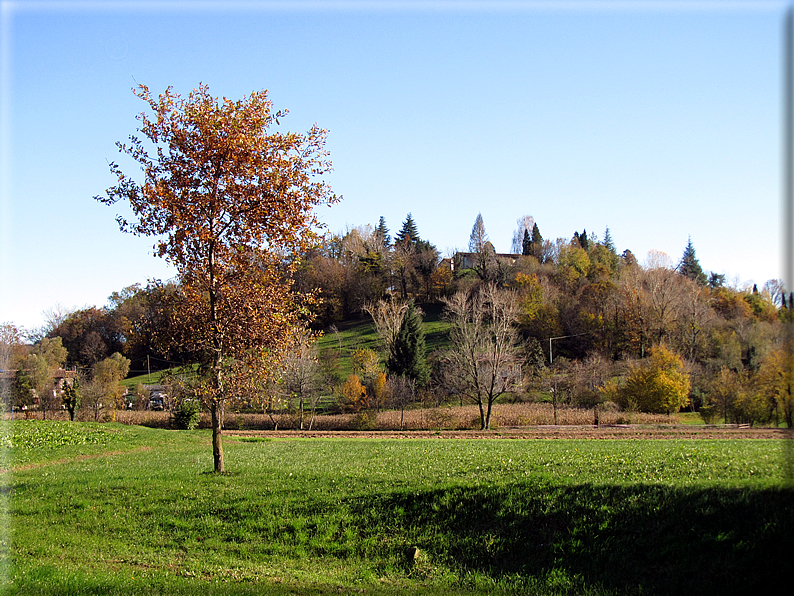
(484, 361)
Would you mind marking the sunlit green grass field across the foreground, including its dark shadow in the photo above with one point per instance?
(111, 509)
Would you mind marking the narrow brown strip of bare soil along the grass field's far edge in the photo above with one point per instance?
(539, 432)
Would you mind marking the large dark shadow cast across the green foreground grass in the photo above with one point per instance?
(649, 539)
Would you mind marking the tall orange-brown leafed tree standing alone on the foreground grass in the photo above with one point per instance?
(227, 200)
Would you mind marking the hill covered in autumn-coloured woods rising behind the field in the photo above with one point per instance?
(604, 313)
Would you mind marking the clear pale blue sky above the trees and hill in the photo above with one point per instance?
(660, 120)
